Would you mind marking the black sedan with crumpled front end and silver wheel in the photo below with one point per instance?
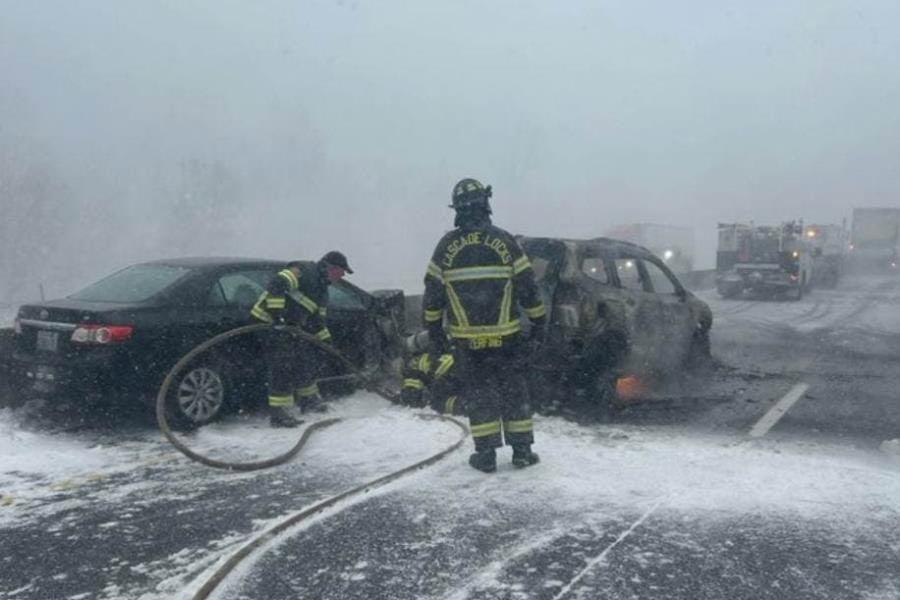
(122, 335)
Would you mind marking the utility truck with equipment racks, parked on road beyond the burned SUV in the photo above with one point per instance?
(763, 260)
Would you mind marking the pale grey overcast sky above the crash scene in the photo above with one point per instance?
(345, 123)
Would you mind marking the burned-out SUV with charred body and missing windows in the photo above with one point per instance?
(616, 311)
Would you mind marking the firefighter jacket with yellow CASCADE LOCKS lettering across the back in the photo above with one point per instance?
(479, 276)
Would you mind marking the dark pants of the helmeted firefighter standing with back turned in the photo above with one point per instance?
(495, 395)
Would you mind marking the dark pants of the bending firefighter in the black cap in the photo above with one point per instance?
(292, 369)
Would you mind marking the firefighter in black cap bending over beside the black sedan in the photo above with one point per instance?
(297, 296)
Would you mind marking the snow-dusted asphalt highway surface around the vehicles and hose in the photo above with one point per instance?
(671, 498)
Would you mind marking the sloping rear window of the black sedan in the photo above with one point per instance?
(134, 284)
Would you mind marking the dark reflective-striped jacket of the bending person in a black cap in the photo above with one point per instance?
(296, 300)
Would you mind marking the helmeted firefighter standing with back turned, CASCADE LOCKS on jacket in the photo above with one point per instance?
(479, 276)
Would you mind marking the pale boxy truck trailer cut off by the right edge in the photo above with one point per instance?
(875, 239)
